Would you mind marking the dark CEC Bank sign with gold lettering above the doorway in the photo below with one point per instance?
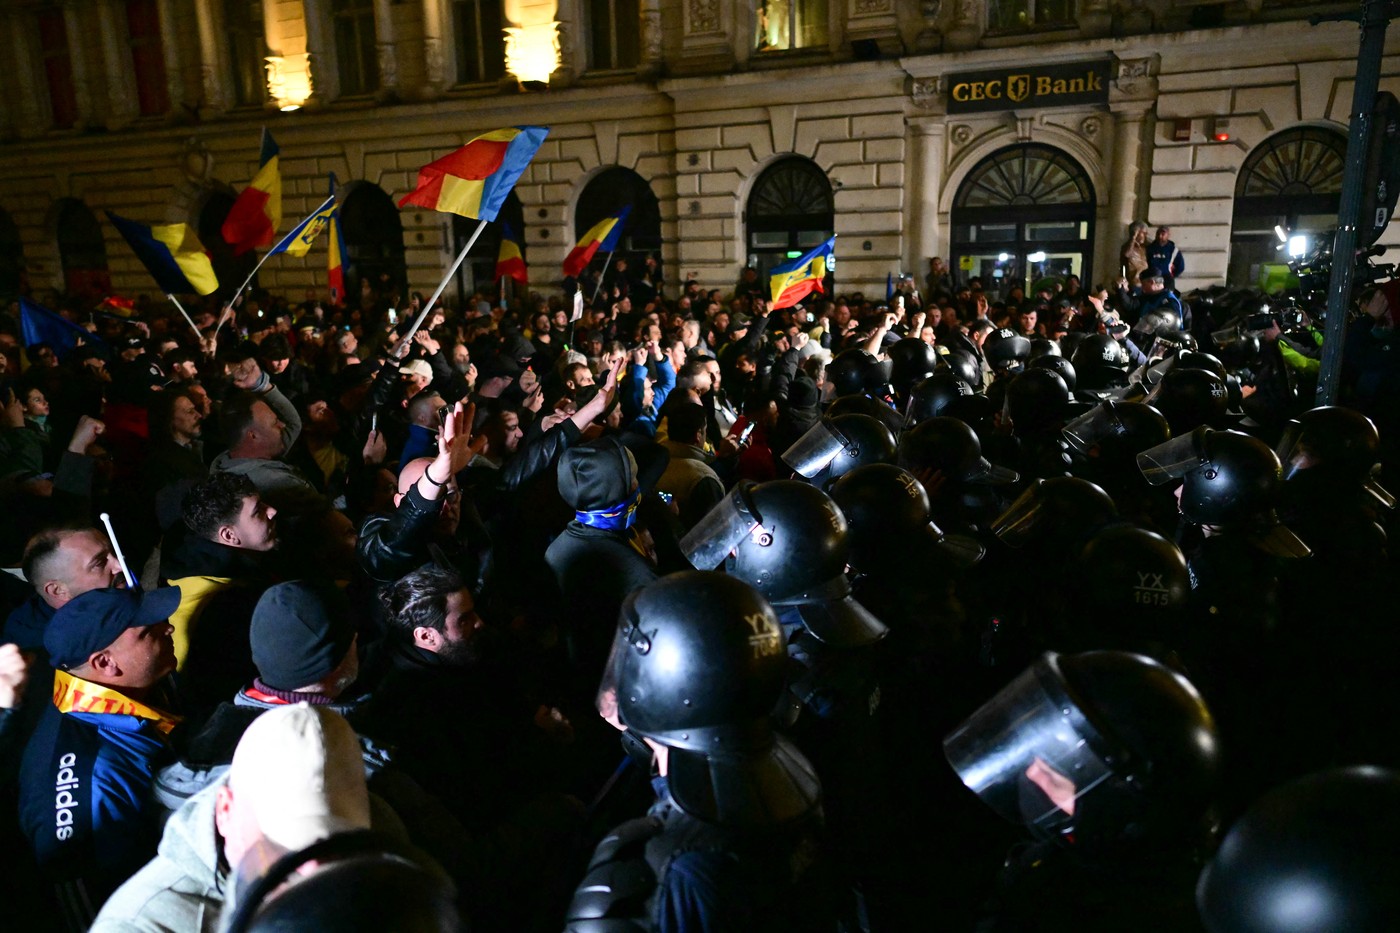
(1028, 88)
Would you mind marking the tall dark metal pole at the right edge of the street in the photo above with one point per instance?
(1375, 18)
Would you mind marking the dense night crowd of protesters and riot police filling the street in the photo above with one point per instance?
(362, 589)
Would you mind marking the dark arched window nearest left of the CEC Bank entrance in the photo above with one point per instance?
(790, 211)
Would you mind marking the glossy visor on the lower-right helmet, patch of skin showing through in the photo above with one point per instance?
(1030, 753)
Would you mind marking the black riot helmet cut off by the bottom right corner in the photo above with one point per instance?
(1312, 857)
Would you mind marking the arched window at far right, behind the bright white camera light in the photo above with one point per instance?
(1291, 181)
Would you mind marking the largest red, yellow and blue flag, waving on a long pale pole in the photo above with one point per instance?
(475, 180)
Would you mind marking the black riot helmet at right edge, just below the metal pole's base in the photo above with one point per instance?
(1335, 445)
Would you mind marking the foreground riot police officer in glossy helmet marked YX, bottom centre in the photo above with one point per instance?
(696, 668)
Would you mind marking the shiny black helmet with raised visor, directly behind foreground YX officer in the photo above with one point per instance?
(789, 540)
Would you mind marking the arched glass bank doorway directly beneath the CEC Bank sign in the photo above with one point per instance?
(1021, 216)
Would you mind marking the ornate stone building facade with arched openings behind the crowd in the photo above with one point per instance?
(1017, 138)
